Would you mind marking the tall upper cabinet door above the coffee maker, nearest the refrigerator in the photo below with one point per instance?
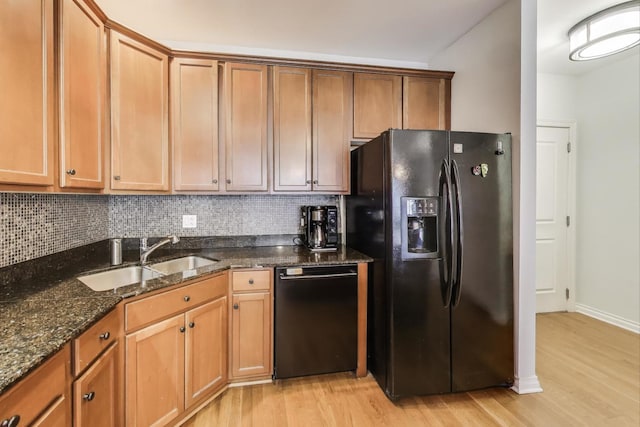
(332, 123)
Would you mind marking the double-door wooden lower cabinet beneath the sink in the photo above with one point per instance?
(176, 363)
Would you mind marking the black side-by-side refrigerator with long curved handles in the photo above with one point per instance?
(434, 211)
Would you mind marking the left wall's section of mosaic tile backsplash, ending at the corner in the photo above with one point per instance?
(35, 225)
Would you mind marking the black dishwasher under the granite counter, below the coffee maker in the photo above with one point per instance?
(316, 320)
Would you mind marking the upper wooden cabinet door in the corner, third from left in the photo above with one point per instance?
(139, 116)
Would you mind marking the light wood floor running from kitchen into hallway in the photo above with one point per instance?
(589, 370)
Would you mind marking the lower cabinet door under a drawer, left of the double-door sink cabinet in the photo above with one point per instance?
(95, 392)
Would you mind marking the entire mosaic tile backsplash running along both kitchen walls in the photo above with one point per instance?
(35, 225)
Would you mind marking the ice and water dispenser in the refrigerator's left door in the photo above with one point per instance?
(419, 227)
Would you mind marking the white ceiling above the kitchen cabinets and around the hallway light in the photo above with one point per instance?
(402, 33)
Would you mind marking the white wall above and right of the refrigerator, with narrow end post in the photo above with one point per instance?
(494, 91)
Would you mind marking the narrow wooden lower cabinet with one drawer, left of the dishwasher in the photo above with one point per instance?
(251, 320)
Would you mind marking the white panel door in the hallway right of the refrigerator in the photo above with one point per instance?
(552, 211)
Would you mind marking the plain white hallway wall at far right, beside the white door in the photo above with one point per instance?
(608, 193)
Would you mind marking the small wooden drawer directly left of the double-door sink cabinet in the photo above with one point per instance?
(96, 339)
